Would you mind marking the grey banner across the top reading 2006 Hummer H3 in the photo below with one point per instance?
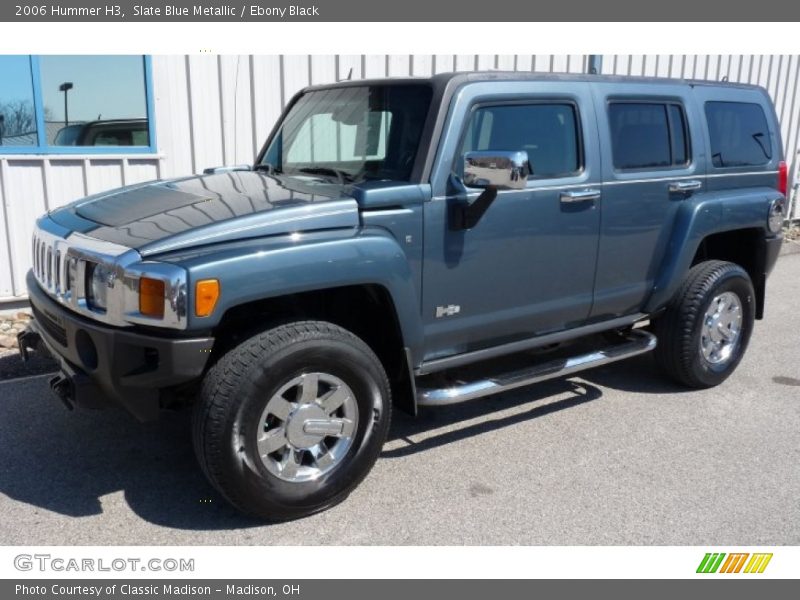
(393, 11)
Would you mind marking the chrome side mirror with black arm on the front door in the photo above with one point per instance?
(493, 171)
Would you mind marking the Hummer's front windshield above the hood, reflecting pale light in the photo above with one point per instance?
(351, 134)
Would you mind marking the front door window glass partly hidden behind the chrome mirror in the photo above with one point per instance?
(548, 132)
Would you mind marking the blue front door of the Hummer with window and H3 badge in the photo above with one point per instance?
(527, 267)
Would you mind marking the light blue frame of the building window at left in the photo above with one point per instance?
(42, 147)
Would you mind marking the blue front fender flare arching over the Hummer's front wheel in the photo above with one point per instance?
(289, 264)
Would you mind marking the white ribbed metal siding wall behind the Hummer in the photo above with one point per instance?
(215, 110)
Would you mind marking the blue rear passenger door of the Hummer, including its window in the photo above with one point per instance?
(650, 166)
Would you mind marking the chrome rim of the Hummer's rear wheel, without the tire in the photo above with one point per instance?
(722, 328)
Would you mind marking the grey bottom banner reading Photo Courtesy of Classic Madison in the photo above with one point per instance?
(344, 589)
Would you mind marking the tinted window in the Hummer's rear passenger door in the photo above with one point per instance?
(648, 135)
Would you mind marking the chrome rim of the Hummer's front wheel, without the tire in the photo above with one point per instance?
(307, 427)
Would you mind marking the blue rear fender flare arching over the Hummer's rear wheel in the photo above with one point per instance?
(698, 217)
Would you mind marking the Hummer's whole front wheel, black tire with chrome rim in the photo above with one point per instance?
(292, 420)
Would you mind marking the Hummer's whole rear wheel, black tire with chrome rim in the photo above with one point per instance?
(704, 332)
